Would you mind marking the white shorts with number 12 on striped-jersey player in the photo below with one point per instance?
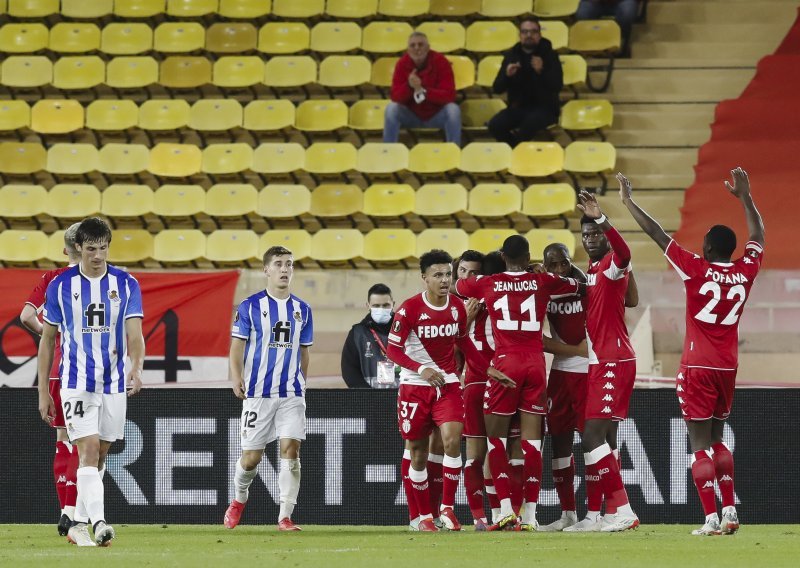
(267, 419)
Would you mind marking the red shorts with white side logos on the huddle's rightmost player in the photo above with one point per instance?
(608, 389)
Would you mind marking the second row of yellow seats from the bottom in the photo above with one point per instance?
(285, 201)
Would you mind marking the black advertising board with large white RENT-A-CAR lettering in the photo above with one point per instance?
(176, 462)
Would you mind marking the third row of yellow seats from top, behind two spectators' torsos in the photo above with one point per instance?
(282, 71)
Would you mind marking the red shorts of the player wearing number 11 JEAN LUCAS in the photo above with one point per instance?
(527, 369)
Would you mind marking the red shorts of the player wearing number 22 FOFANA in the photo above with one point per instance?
(705, 393)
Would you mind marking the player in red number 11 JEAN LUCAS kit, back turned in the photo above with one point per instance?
(517, 302)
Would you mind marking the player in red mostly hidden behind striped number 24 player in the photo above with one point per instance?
(65, 463)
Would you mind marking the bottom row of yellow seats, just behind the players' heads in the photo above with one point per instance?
(228, 246)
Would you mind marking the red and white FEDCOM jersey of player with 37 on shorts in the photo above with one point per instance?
(424, 335)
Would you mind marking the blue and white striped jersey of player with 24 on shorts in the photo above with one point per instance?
(91, 314)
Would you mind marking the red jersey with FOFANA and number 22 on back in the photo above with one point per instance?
(715, 296)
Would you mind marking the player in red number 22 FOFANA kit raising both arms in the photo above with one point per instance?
(716, 291)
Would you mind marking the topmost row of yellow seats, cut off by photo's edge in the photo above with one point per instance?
(286, 8)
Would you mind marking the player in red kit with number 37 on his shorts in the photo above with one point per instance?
(422, 340)
